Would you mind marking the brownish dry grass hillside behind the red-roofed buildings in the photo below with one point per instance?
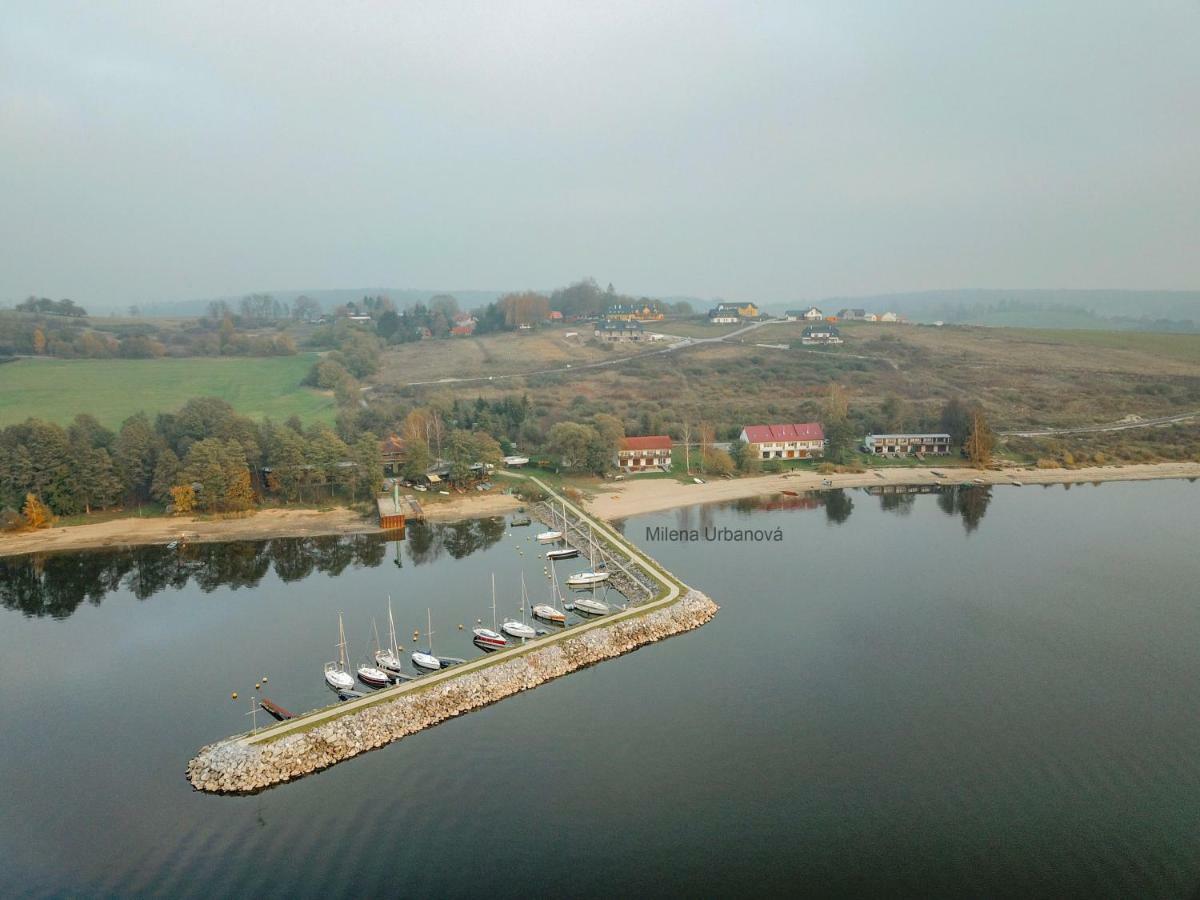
(1024, 379)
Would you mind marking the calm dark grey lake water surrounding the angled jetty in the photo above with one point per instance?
(967, 694)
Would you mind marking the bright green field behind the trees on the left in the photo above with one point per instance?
(112, 391)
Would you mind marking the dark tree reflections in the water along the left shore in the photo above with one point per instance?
(56, 585)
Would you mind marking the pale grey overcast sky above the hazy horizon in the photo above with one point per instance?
(158, 151)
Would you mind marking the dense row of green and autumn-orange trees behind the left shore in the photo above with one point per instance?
(203, 458)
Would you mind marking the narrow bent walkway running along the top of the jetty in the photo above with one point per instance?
(674, 590)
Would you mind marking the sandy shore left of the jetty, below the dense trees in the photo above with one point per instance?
(263, 525)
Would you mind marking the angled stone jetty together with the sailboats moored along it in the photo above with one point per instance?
(315, 741)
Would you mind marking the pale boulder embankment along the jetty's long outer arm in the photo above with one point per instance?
(245, 765)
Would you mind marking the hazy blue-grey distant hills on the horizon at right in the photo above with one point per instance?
(1100, 310)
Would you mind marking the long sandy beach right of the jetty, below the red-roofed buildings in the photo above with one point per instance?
(634, 497)
